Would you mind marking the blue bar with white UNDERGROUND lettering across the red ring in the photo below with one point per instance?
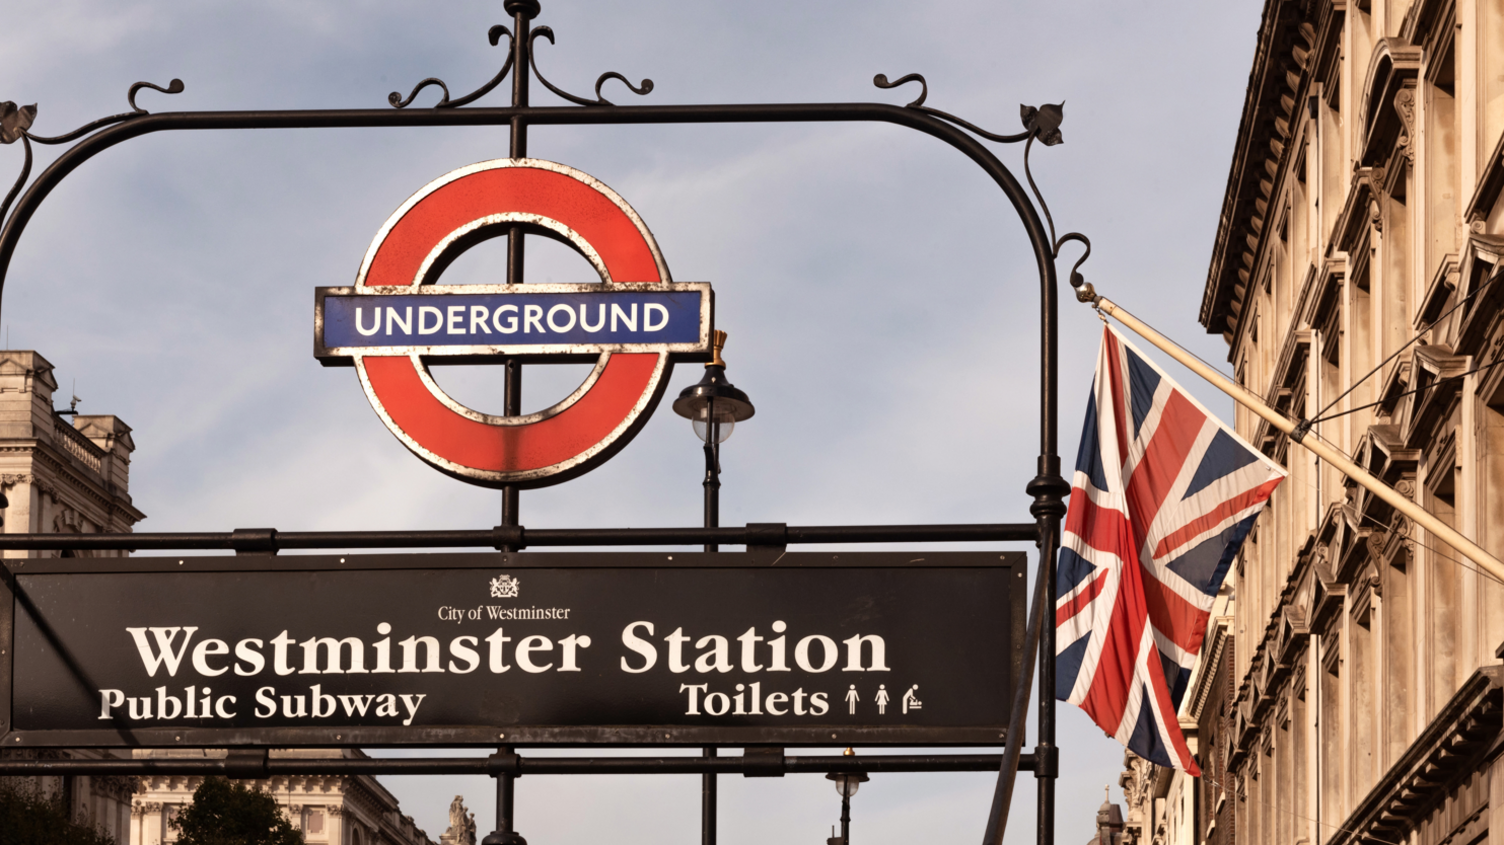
(514, 320)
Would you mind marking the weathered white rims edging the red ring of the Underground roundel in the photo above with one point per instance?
(559, 471)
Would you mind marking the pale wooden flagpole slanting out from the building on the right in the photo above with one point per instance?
(1324, 452)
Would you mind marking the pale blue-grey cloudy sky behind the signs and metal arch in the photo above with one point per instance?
(878, 288)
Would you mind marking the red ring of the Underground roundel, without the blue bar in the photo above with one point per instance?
(584, 429)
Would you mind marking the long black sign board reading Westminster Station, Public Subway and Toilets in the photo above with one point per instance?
(520, 649)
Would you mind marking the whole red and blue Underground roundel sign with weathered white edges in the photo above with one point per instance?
(396, 320)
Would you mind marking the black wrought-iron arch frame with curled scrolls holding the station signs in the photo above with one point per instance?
(1048, 489)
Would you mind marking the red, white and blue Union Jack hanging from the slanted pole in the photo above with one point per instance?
(1162, 500)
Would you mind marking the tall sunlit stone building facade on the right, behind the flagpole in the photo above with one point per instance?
(1363, 211)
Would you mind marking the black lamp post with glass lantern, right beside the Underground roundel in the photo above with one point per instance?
(715, 408)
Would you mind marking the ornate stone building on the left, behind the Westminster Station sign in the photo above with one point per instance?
(70, 474)
